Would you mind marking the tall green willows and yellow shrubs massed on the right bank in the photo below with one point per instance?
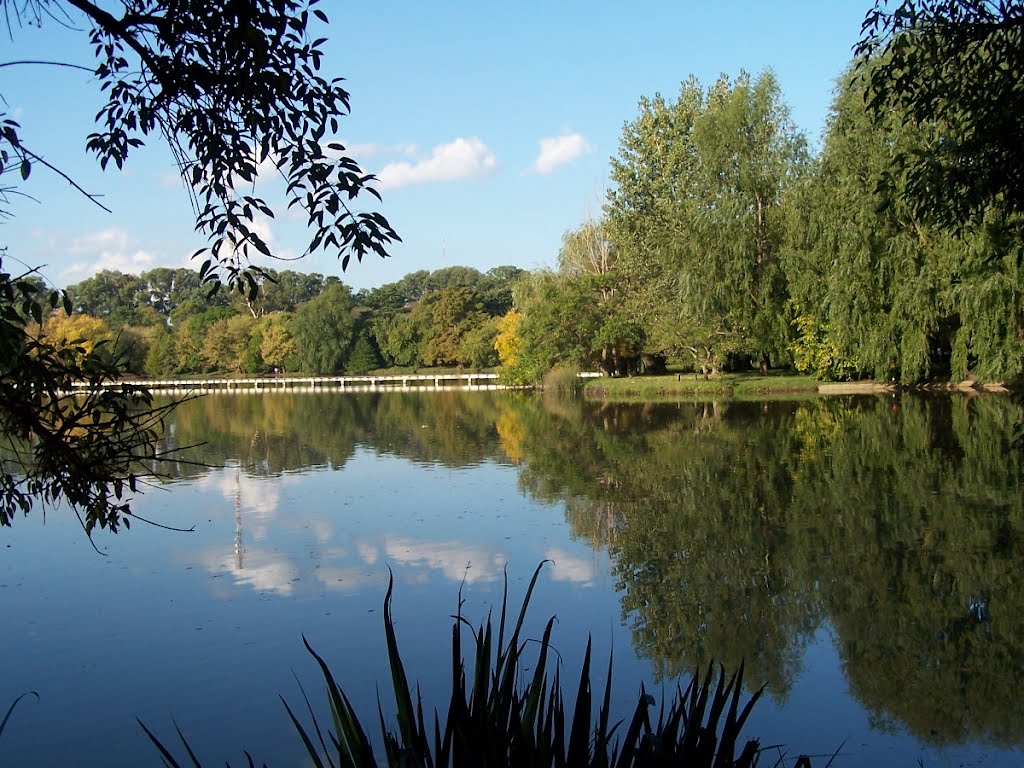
(727, 243)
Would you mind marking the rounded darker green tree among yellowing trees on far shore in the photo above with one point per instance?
(324, 331)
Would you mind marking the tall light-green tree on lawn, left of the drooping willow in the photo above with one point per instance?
(696, 219)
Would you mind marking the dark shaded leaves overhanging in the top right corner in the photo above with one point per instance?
(958, 68)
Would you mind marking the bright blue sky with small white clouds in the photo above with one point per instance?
(490, 126)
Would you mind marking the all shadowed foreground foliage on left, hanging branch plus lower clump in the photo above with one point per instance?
(229, 87)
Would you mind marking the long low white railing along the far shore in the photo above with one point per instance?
(404, 382)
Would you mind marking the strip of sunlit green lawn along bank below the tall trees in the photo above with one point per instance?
(742, 386)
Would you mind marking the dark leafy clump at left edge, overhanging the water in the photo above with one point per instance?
(89, 451)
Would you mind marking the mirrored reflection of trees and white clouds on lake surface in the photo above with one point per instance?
(736, 532)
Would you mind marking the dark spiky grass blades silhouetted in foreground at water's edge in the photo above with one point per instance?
(508, 709)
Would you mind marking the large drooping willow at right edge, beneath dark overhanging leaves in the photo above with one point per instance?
(901, 297)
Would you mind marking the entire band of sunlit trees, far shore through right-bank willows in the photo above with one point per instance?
(726, 243)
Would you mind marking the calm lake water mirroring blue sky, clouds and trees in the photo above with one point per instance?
(864, 557)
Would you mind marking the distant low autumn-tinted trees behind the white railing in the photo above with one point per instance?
(166, 322)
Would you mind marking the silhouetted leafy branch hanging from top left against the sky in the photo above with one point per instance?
(228, 87)
